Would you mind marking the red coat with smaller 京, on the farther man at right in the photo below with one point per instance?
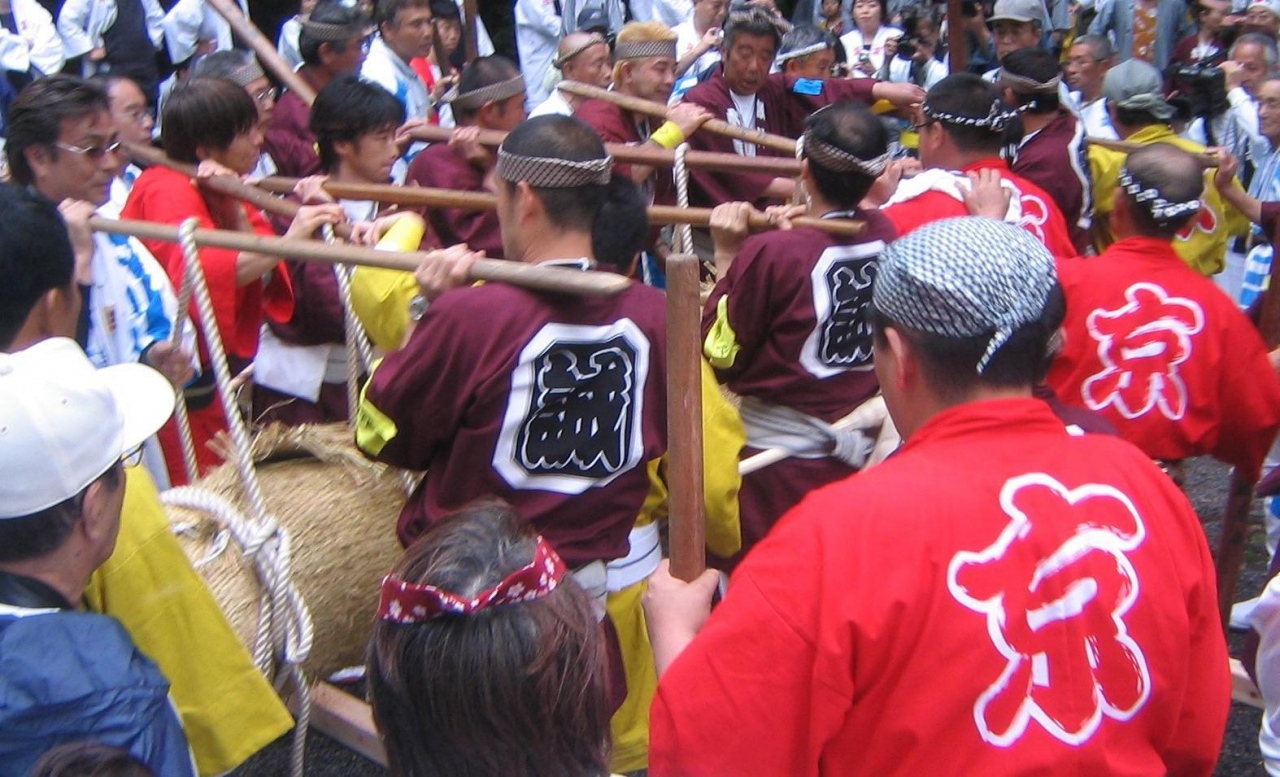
(1165, 356)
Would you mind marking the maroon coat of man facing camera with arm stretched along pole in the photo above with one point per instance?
(780, 111)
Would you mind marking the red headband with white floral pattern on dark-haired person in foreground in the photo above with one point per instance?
(409, 604)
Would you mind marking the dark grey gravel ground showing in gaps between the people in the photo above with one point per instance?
(1206, 483)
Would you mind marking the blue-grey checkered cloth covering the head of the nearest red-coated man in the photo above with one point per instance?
(963, 278)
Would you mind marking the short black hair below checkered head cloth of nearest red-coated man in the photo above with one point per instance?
(952, 364)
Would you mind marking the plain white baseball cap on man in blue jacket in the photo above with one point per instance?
(65, 423)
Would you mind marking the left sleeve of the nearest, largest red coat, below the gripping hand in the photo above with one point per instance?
(749, 696)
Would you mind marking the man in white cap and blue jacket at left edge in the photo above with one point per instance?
(66, 429)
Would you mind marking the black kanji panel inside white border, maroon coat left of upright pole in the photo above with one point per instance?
(580, 417)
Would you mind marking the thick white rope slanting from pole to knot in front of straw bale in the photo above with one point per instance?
(267, 545)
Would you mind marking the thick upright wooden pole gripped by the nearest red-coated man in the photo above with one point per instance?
(688, 522)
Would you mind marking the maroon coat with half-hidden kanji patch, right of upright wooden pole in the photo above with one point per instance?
(797, 304)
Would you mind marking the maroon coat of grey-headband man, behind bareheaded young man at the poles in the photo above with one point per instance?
(440, 166)
